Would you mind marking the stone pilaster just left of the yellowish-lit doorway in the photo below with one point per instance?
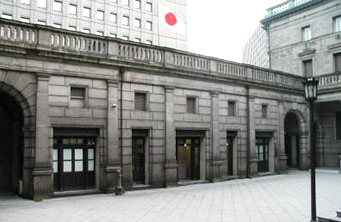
(171, 165)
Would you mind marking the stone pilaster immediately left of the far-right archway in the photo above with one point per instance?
(282, 157)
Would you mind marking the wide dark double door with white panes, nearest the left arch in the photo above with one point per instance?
(74, 163)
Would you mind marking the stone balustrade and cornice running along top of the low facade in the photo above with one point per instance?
(50, 44)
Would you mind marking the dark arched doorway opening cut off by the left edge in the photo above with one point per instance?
(11, 143)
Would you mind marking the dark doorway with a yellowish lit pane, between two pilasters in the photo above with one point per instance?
(188, 157)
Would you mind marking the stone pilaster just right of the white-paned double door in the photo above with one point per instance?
(113, 153)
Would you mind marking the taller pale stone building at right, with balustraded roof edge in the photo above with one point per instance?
(305, 40)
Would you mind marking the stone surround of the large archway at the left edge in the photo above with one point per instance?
(18, 91)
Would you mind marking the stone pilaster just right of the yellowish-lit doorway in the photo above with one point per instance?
(216, 162)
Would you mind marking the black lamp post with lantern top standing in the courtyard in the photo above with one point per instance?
(310, 93)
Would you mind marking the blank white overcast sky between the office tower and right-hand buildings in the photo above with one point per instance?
(220, 28)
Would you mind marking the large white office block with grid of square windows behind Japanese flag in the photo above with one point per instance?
(134, 20)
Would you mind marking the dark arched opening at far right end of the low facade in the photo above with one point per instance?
(296, 140)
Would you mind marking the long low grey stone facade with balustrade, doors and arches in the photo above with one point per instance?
(80, 108)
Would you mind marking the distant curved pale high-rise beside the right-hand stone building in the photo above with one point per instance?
(255, 51)
